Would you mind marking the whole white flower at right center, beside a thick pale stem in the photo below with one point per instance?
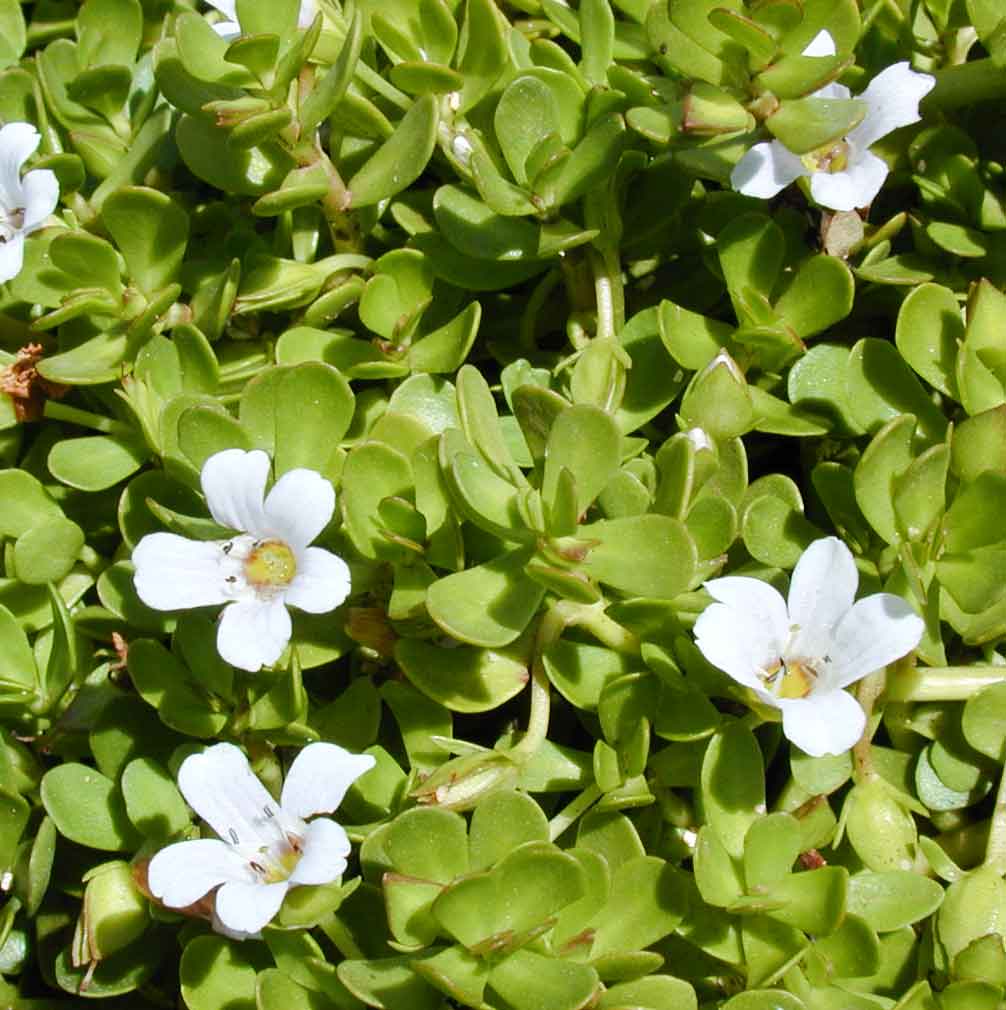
(798, 655)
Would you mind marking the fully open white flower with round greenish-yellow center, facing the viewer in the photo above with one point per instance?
(259, 573)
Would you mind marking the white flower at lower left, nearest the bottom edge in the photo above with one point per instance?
(264, 849)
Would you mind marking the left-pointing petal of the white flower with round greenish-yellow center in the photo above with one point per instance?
(174, 573)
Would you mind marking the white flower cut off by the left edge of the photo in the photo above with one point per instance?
(25, 203)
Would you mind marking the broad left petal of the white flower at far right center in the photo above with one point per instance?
(746, 632)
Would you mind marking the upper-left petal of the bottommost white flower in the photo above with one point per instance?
(221, 786)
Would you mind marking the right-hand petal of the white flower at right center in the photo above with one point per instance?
(878, 631)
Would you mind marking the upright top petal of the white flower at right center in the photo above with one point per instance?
(822, 591)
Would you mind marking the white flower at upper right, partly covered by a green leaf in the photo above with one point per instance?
(847, 174)
